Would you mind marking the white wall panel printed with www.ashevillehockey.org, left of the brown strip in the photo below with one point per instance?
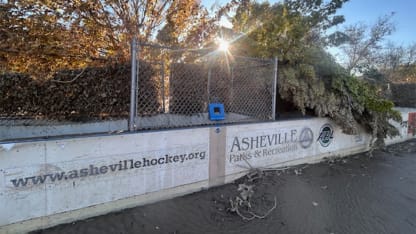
(23, 160)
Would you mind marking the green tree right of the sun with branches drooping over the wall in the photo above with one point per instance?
(309, 77)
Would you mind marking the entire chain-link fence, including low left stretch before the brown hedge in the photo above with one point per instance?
(171, 88)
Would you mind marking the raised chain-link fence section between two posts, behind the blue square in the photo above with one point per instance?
(188, 81)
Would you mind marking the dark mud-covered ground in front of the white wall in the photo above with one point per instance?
(357, 194)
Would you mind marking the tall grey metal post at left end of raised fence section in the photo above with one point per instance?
(133, 89)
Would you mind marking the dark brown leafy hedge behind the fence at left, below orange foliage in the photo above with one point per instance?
(78, 95)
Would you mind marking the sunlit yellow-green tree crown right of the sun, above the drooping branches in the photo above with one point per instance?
(284, 29)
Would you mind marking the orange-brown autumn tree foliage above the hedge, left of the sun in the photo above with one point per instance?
(47, 35)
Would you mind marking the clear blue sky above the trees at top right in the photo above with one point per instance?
(367, 11)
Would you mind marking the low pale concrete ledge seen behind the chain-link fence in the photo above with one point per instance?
(11, 130)
